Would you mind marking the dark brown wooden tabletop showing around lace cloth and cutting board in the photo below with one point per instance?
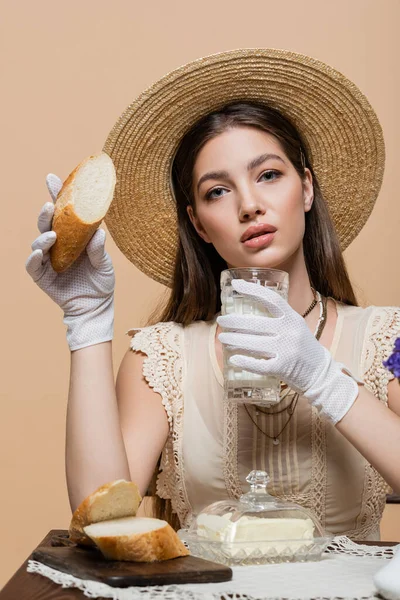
(31, 586)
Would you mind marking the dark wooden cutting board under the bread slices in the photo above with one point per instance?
(88, 563)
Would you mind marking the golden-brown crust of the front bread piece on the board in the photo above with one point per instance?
(156, 545)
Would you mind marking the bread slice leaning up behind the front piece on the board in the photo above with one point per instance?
(113, 500)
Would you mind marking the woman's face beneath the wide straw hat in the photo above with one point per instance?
(241, 178)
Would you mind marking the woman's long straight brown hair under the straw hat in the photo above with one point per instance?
(195, 293)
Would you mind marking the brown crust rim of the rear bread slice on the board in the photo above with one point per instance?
(83, 514)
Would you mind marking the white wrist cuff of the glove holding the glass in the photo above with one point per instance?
(335, 391)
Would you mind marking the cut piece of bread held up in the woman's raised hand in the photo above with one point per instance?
(81, 205)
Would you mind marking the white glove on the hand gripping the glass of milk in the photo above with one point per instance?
(284, 346)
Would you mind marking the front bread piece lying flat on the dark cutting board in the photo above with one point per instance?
(138, 539)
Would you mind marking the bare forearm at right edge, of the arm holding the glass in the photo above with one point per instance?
(374, 429)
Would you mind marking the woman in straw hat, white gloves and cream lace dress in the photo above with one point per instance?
(243, 138)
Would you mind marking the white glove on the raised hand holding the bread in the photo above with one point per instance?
(85, 291)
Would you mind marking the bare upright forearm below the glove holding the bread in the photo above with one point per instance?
(95, 452)
